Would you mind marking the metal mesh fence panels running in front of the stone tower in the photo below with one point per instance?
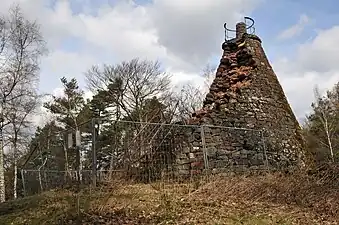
(142, 152)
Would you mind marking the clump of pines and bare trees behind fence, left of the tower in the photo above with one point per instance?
(136, 91)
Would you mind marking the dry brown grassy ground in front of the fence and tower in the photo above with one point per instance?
(237, 200)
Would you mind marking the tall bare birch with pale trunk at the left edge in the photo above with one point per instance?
(21, 47)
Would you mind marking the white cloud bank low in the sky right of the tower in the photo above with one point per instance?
(315, 64)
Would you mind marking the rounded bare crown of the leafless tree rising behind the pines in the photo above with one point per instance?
(130, 84)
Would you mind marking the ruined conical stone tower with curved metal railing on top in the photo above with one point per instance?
(245, 96)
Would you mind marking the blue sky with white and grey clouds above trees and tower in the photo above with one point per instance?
(299, 38)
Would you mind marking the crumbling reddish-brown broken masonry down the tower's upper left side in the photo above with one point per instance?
(233, 74)
